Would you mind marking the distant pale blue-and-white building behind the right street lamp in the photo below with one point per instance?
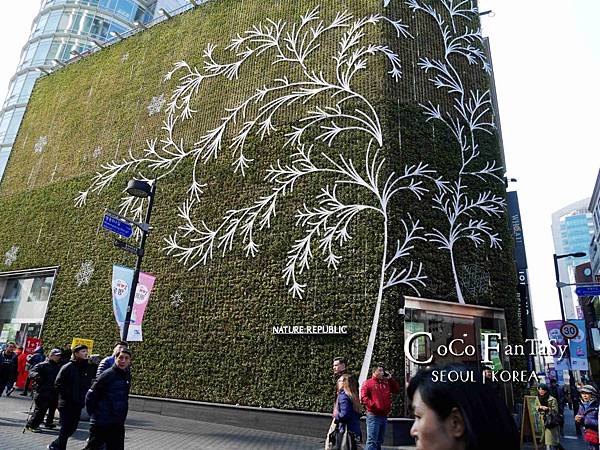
(572, 231)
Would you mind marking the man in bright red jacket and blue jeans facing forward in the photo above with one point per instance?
(376, 394)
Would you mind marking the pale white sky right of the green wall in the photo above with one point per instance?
(546, 56)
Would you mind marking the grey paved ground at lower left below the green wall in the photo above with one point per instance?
(146, 431)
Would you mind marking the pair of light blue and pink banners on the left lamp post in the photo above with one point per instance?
(121, 285)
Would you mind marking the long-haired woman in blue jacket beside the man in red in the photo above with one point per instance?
(347, 412)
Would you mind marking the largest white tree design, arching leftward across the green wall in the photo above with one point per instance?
(340, 108)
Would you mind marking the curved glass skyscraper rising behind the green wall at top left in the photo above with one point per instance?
(63, 26)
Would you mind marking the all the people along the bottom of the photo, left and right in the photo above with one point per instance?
(447, 415)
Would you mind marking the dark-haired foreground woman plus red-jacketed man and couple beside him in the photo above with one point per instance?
(449, 415)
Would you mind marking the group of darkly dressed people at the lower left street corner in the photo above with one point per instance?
(66, 380)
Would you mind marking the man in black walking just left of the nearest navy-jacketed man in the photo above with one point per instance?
(72, 382)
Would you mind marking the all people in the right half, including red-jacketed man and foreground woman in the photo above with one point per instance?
(451, 415)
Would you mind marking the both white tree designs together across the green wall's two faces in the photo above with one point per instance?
(325, 106)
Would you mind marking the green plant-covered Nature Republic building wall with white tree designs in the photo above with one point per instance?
(323, 189)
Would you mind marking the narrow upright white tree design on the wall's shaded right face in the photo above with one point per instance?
(466, 210)
